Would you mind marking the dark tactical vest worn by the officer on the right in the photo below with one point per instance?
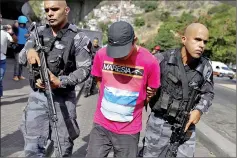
(169, 96)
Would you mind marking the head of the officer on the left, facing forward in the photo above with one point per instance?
(57, 12)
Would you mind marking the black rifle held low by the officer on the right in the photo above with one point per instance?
(178, 135)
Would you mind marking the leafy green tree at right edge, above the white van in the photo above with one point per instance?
(222, 30)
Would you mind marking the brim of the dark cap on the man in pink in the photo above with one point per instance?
(119, 51)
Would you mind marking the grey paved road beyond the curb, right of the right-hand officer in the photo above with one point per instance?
(222, 114)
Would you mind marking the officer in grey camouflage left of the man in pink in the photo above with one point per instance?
(68, 59)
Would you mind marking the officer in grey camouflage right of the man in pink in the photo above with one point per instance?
(181, 71)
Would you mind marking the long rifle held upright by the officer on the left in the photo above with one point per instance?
(43, 72)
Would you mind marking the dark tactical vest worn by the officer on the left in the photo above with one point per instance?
(59, 50)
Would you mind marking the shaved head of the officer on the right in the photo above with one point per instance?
(194, 39)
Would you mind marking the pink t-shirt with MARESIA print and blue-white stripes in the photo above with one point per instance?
(123, 89)
